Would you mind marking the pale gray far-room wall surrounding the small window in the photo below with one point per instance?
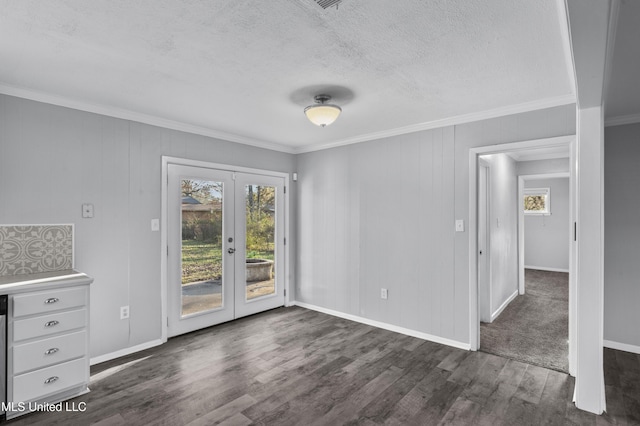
(546, 237)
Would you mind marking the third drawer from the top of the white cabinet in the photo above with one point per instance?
(53, 350)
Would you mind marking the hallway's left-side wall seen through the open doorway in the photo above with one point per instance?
(503, 230)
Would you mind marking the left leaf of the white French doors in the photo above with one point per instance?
(200, 273)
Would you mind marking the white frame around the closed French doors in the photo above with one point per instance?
(166, 160)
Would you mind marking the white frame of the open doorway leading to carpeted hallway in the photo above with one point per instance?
(474, 319)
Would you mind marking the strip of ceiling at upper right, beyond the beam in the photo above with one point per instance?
(623, 94)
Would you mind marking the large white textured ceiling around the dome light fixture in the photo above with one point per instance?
(246, 69)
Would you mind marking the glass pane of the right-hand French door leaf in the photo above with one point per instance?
(260, 244)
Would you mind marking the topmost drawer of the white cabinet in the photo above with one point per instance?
(41, 302)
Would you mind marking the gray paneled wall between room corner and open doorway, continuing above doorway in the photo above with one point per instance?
(381, 214)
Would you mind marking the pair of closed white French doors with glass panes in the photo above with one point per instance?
(225, 239)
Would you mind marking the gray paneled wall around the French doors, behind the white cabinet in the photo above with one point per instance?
(53, 159)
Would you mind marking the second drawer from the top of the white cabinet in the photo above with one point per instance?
(45, 325)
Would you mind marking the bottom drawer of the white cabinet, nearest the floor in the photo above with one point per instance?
(31, 386)
